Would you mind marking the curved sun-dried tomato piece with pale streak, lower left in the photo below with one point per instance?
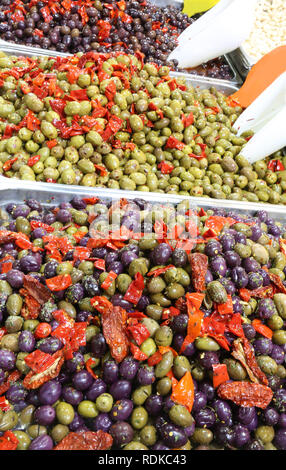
(36, 379)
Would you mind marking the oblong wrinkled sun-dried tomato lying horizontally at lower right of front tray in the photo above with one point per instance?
(246, 393)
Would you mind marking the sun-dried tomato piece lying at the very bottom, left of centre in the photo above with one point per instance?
(87, 440)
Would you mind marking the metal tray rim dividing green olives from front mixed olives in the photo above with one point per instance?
(12, 191)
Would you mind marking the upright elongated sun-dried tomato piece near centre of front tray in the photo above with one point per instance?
(114, 326)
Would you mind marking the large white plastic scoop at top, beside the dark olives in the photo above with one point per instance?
(219, 31)
